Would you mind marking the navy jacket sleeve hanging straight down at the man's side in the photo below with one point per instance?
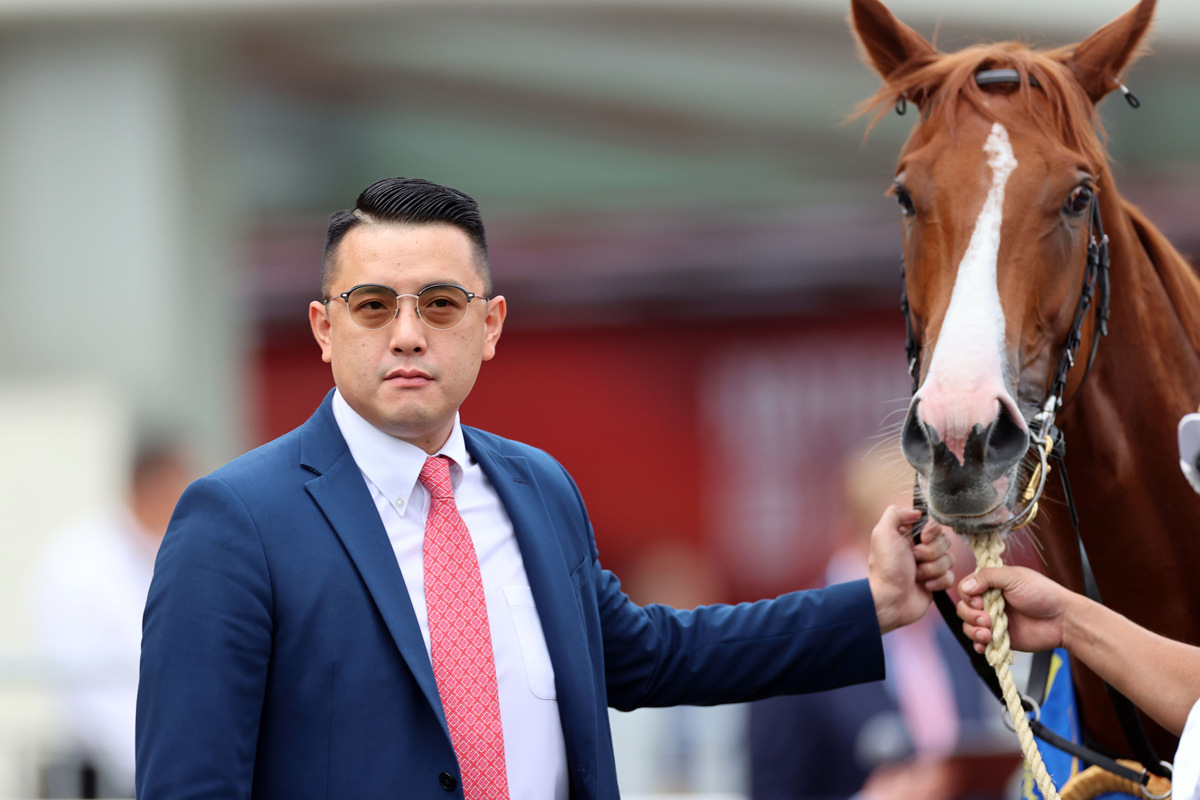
(206, 649)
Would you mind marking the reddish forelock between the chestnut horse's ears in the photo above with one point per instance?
(941, 85)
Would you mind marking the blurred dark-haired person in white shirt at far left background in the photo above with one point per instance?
(88, 593)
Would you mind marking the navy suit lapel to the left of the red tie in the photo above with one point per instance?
(344, 497)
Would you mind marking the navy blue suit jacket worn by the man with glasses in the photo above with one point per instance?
(281, 657)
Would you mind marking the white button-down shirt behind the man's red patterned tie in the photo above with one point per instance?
(535, 750)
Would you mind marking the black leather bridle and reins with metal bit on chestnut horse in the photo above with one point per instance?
(1049, 446)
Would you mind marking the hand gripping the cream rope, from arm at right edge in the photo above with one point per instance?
(1037, 609)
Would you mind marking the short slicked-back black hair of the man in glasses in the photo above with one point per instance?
(407, 201)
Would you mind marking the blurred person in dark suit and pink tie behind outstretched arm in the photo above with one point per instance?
(883, 741)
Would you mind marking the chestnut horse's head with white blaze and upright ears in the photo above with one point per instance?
(997, 187)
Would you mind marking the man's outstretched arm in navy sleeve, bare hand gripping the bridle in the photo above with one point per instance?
(801, 642)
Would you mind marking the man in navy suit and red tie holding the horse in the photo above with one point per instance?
(386, 604)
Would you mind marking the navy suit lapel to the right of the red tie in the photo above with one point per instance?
(553, 592)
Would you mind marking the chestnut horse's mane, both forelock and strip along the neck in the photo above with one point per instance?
(938, 85)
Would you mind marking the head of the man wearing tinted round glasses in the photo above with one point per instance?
(407, 378)
